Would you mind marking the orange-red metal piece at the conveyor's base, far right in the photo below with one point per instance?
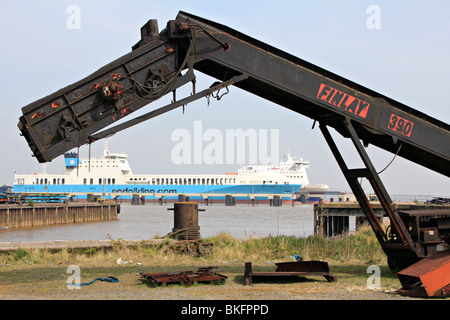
(430, 277)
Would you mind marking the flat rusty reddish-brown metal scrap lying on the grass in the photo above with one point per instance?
(204, 274)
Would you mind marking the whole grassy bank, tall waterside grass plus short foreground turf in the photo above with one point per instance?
(42, 273)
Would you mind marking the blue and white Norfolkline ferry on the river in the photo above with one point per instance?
(112, 176)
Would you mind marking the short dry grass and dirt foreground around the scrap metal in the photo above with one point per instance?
(48, 282)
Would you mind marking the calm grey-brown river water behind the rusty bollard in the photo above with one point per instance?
(150, 220)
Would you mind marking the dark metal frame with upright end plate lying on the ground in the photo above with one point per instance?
(292, 269)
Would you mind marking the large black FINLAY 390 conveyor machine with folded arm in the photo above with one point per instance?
(163, 61)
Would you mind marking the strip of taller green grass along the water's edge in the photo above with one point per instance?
(361, 246)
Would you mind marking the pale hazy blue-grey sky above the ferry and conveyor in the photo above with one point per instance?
(406, 59)
